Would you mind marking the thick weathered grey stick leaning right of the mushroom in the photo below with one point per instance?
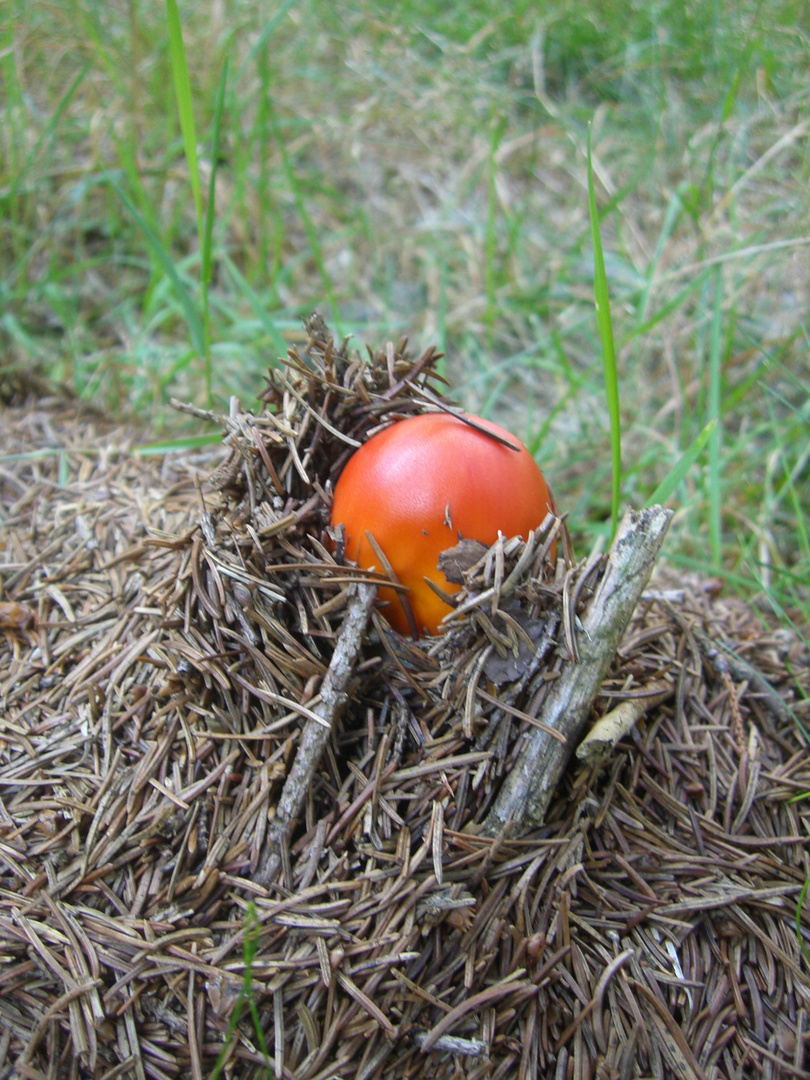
(522, 803)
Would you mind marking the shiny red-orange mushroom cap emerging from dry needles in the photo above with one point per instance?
(423, 485)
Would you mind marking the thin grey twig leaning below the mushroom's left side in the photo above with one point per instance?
(317, 734)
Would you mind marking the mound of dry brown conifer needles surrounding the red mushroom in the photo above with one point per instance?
(170, 628)
